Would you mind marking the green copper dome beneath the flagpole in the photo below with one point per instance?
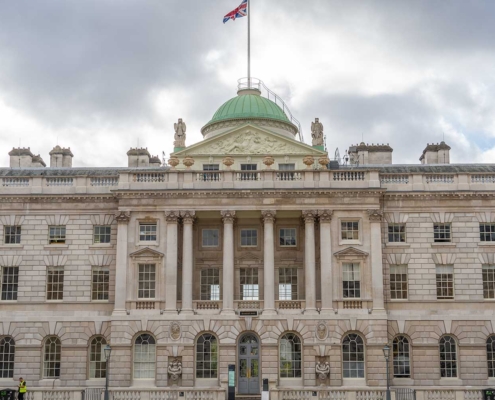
(249, 104)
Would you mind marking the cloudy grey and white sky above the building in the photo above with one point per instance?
(102, 76)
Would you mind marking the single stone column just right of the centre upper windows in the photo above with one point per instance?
(269, 262)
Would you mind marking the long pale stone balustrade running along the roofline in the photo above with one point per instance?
(264, 179)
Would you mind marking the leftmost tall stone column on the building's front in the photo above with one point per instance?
(121, 264)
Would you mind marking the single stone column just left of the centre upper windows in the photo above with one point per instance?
(228, 262)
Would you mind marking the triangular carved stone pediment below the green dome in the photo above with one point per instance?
(249, 140)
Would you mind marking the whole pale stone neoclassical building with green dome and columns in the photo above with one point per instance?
(250, 248)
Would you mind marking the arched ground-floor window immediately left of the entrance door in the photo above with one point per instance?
(212, 356)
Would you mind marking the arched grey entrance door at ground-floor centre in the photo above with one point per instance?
(249, 372)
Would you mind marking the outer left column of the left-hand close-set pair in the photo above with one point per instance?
(171, 262)
